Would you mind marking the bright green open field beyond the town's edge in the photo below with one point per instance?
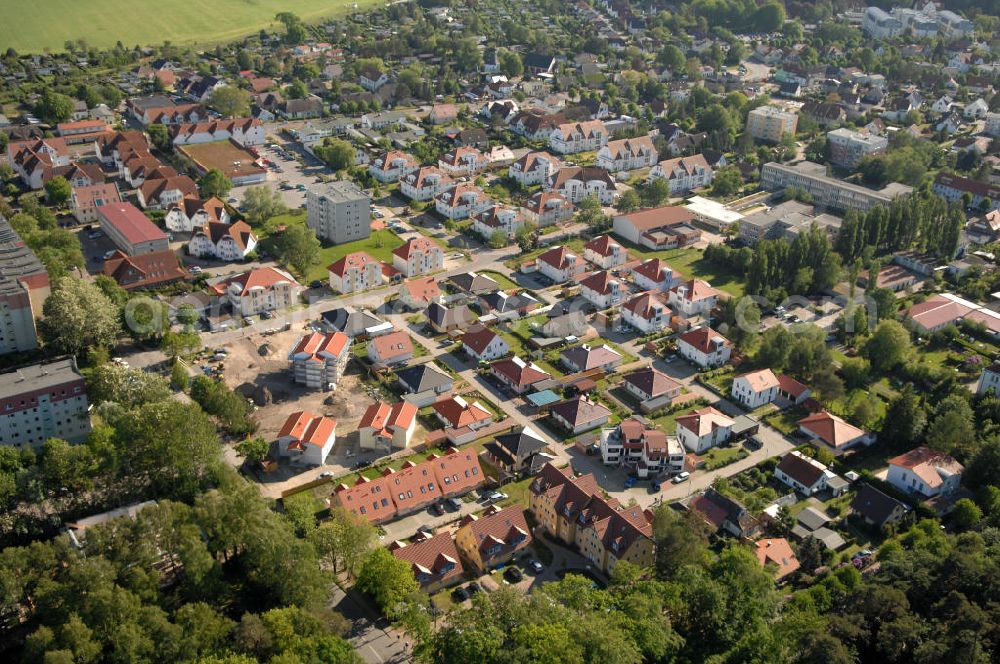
(31, 27)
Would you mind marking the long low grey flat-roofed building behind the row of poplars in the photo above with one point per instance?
(828, 191)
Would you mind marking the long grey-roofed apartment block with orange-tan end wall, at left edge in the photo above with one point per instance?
(24, 285)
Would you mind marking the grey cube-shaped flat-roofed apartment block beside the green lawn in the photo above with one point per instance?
(339, 212)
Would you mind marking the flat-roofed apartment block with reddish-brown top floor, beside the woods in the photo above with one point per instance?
(42, 401)
